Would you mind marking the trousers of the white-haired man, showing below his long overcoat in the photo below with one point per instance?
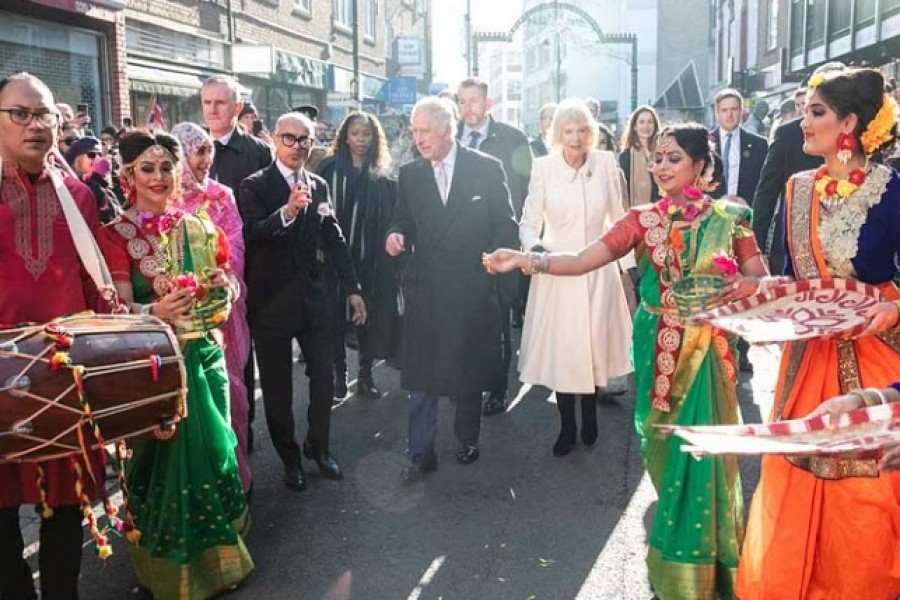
(423, 420)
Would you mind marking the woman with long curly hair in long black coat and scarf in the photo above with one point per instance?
(358, 173)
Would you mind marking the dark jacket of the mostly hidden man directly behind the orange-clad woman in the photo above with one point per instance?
(785, 157)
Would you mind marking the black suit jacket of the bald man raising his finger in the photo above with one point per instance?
(286, 264)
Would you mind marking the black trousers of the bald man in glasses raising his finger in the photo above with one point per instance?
(274, 359)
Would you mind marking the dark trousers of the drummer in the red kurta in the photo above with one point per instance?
(59, 559)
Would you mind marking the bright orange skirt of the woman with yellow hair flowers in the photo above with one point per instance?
(822, 539)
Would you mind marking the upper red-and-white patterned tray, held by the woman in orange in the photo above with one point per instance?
(797, 311)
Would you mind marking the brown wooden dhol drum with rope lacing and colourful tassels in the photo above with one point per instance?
(78, 382)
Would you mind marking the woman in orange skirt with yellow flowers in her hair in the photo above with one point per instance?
(829, 528)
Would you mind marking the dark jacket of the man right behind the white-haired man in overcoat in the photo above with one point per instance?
(511, 147)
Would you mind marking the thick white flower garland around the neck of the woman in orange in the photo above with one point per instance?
(839, 228)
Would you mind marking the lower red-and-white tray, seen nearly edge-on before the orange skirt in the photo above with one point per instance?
(860, 432)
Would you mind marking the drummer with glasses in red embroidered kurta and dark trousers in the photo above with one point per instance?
(41, 278)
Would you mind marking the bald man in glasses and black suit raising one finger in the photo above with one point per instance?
(293, 244)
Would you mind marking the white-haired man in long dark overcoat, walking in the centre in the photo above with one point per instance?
(453, 204)
